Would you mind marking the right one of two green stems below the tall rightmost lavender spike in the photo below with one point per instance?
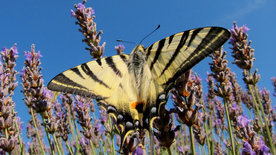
(265, 120)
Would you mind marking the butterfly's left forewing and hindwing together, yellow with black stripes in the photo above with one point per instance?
(107, 80)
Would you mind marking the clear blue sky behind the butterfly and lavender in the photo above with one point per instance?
(49, 25)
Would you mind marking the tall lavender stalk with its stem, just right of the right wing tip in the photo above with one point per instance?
(244, 58)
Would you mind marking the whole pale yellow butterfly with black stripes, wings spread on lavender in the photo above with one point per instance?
(133, 87)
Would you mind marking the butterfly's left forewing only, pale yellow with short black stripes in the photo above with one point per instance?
(98, 79)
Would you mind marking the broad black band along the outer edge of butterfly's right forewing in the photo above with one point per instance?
(214, 31)
